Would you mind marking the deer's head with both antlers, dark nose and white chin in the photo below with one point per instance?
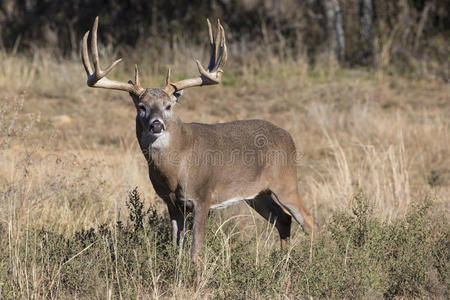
(154, 105)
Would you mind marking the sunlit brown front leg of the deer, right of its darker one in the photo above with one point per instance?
(200, 217)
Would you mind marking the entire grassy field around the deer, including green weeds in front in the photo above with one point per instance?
(375, 172)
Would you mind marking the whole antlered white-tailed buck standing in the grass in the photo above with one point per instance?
(196, 167)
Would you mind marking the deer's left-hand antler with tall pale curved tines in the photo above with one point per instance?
(97, 78)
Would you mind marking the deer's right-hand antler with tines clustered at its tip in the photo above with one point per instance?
(214, 73)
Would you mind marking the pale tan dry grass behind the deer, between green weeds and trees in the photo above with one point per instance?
(69, 156)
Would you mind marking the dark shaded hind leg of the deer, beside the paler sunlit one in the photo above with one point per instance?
(264, 205)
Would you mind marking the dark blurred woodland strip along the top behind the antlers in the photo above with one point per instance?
(403, 29)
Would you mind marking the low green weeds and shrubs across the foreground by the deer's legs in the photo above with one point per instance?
(355, 256)
